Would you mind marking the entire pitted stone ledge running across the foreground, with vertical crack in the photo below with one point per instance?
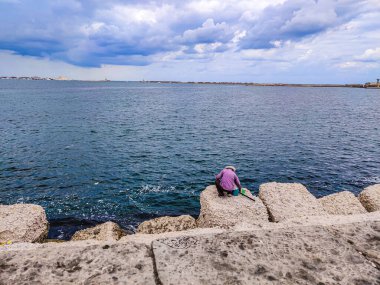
(332, 249)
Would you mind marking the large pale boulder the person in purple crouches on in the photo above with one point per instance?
(227, 212)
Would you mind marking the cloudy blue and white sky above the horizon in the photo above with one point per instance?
(297, 41)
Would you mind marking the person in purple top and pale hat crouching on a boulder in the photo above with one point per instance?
(227, 181)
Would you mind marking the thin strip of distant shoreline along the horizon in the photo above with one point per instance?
(366, 85)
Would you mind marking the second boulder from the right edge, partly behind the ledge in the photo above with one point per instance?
(342, 203)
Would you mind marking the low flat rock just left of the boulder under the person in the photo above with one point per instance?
(167, 224)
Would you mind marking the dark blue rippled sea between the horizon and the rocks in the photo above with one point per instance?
(97, 151)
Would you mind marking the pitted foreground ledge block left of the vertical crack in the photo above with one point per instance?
(79, 263)
